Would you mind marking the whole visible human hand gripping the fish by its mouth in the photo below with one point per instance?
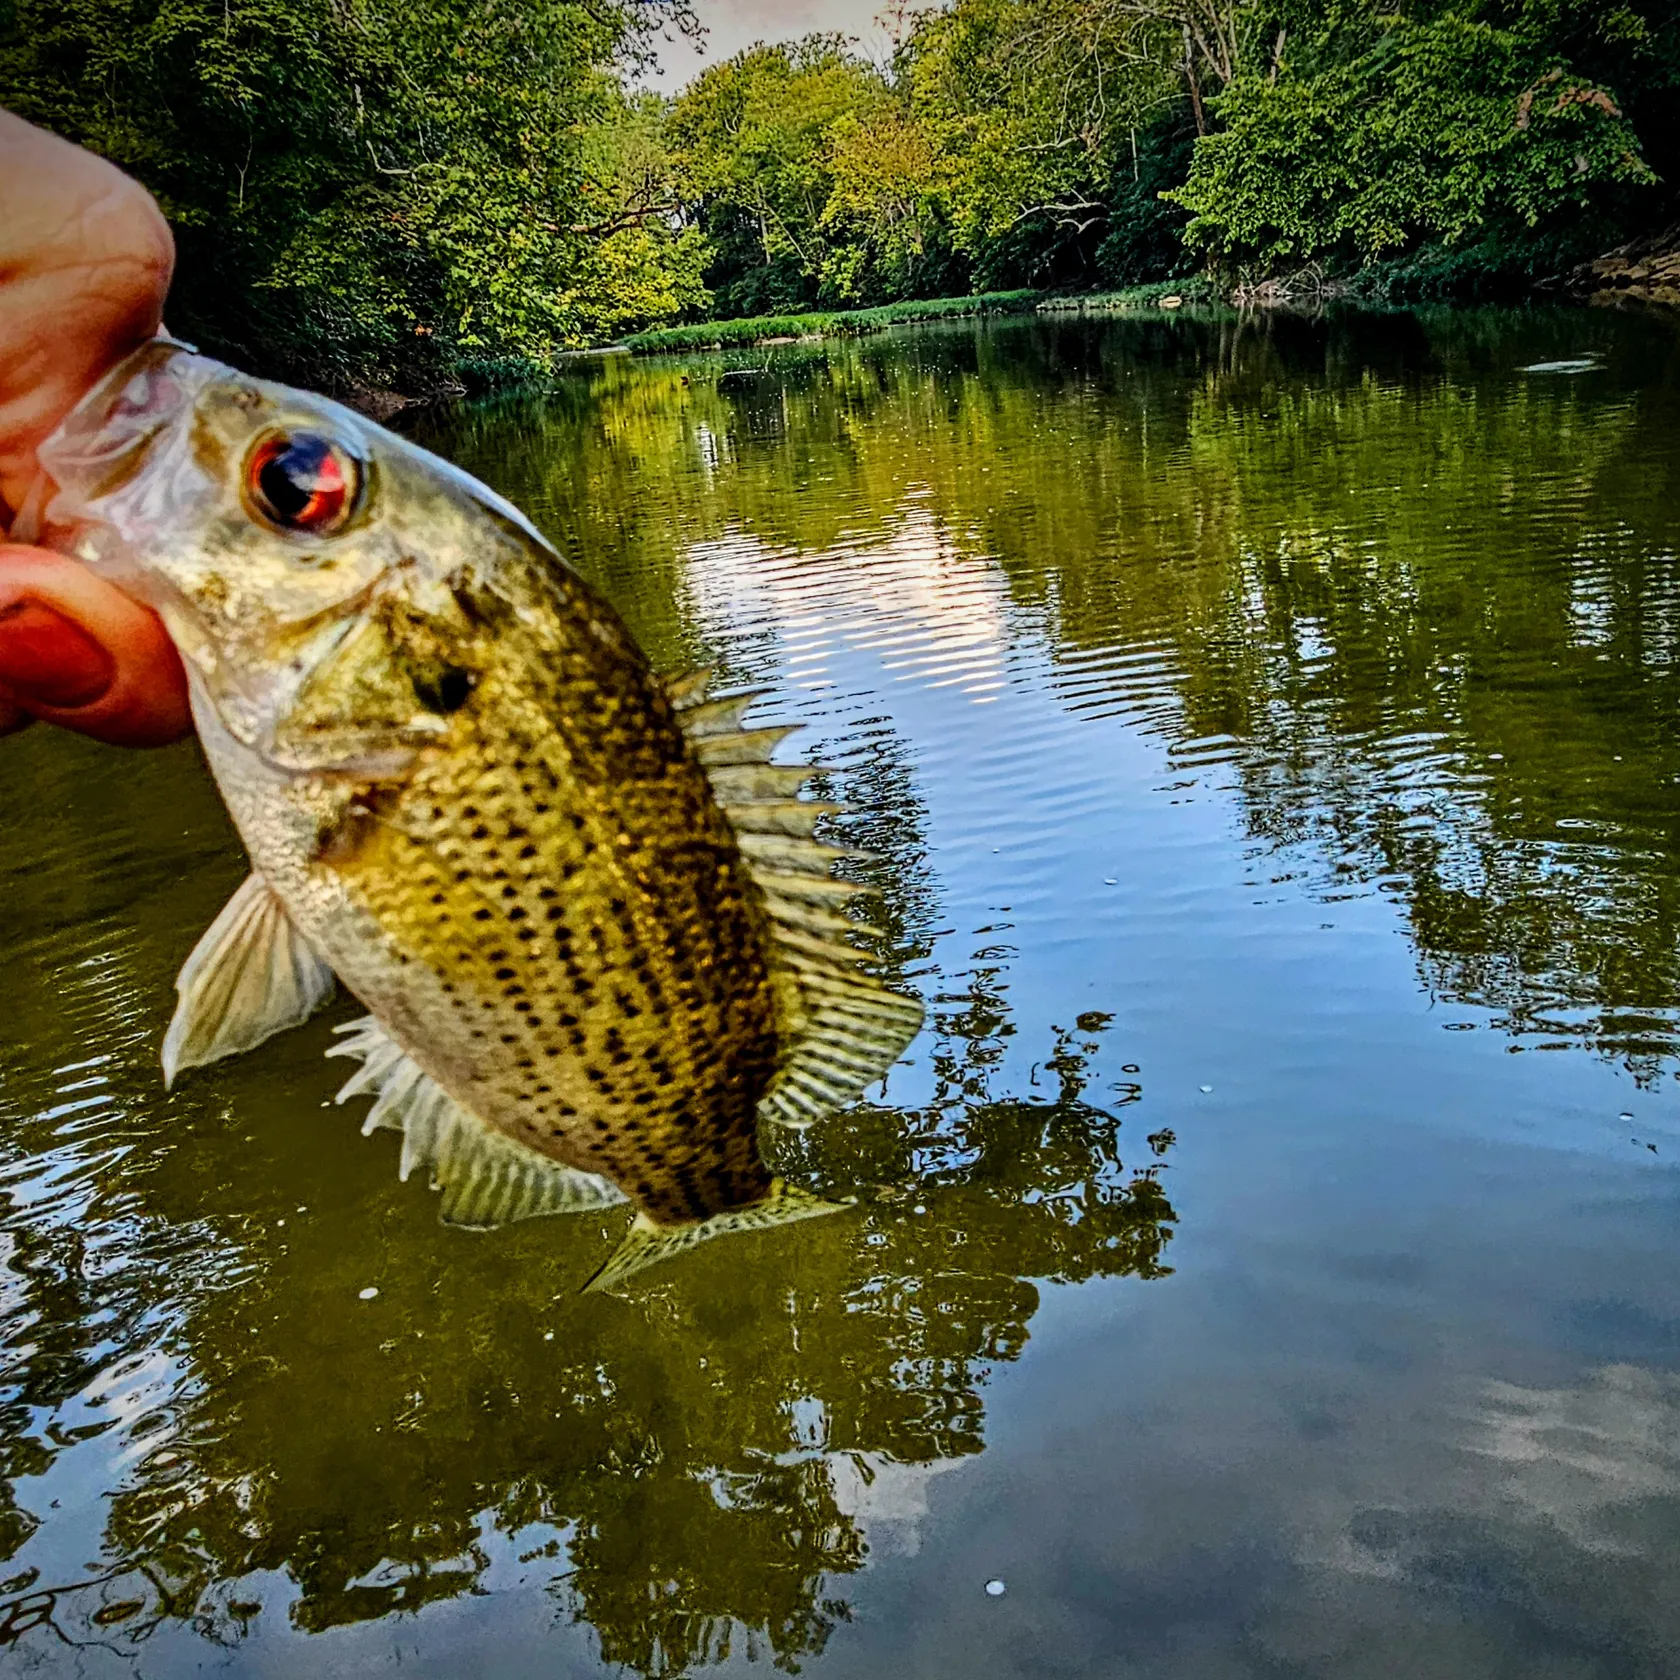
(85, 268)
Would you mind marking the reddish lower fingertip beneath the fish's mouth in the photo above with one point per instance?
(76, 651)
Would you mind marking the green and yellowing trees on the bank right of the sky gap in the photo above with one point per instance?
(1111, 144)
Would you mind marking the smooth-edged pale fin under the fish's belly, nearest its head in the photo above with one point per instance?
(251, 975)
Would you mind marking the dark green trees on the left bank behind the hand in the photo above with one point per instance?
(365, 192)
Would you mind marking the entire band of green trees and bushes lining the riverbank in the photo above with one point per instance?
(451, 196)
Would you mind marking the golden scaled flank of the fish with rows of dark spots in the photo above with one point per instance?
(611, 1000)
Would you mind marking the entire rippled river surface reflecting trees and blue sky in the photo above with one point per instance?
(1268, 1259)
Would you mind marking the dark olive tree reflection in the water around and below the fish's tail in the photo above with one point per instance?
(691, 1467)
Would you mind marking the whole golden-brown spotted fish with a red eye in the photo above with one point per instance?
(597, 937)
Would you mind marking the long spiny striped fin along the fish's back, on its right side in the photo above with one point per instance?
(843, 1027)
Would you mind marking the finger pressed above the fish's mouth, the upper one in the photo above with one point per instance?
(85, 266)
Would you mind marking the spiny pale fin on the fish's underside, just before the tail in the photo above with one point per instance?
(486, 1179)
